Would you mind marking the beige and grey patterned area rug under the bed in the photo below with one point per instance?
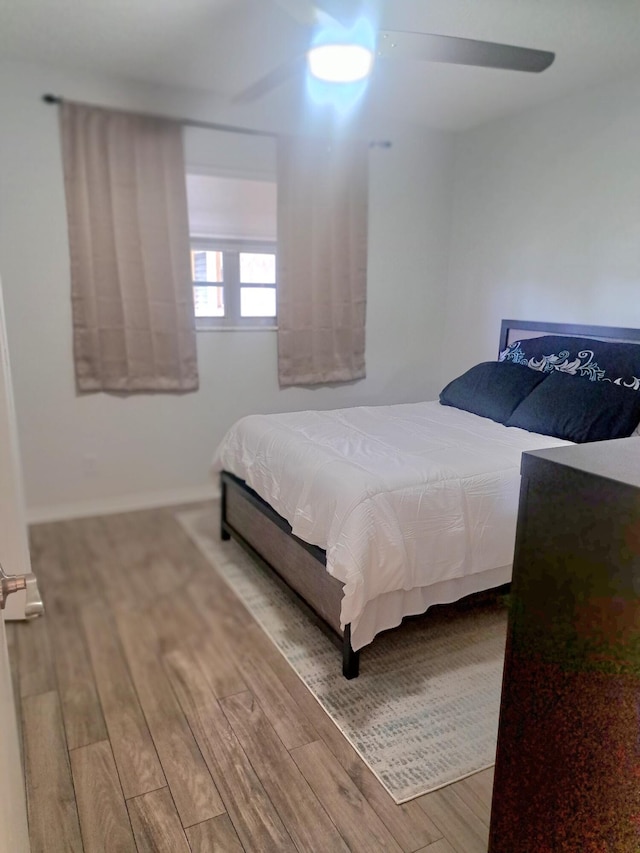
(424, 711)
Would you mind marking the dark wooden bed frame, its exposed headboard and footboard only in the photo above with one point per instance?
(302, 567)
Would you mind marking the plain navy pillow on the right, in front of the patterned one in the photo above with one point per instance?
(578, 409)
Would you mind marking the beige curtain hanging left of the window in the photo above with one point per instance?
(131, 291)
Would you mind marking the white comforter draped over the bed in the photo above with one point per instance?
(413, 503)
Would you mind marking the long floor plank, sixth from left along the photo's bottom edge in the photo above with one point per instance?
(306, 820)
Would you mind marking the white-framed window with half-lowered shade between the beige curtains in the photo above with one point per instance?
(233, 251)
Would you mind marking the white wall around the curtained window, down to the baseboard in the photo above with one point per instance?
(99, 452)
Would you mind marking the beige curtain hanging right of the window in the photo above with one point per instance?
(322, 260)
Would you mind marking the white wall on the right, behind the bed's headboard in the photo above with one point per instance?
(546, 221)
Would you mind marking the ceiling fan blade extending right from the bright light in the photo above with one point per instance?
(394, 44)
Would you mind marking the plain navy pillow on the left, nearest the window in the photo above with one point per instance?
(491, 389)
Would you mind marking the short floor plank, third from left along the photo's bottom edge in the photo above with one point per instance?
(156, 824)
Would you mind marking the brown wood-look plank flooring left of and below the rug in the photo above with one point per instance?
(156, 716)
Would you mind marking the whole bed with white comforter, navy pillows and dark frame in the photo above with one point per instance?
(373, 514)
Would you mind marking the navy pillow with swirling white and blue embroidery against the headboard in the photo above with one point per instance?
(596, 360)
